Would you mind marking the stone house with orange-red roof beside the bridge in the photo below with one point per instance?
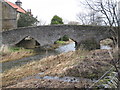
(10, 13)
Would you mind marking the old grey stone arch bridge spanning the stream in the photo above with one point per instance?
(86, 36)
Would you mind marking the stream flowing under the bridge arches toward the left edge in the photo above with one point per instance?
(40, 55)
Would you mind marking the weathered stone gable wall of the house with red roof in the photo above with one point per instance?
(9, 17)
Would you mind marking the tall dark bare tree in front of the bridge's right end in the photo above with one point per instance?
(111, 17)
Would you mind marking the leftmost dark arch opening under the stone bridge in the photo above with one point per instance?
(28, 42)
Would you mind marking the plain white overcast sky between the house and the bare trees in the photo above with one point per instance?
(46, 9)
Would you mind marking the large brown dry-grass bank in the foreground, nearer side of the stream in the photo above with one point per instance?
(85, 64)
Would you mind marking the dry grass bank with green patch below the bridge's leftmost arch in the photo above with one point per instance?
(15, 53)
